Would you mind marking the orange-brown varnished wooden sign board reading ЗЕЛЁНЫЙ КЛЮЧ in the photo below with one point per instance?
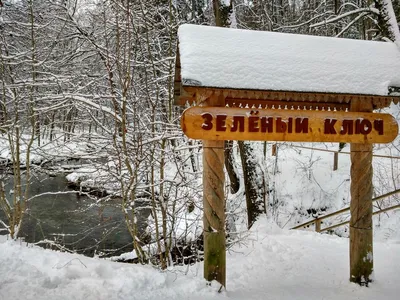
(225, 123)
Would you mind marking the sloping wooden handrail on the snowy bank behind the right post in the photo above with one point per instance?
(318, 221)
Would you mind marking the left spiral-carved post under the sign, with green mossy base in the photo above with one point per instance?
(214, 206)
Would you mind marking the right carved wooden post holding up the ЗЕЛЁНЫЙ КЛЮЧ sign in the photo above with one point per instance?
(361, 239)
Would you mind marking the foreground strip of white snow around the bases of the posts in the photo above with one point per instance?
(270, 263)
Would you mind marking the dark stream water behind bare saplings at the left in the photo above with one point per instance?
(76, 221)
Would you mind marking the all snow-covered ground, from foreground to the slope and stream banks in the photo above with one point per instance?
(267, 263)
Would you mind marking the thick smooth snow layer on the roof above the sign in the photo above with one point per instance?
(259, 60)
